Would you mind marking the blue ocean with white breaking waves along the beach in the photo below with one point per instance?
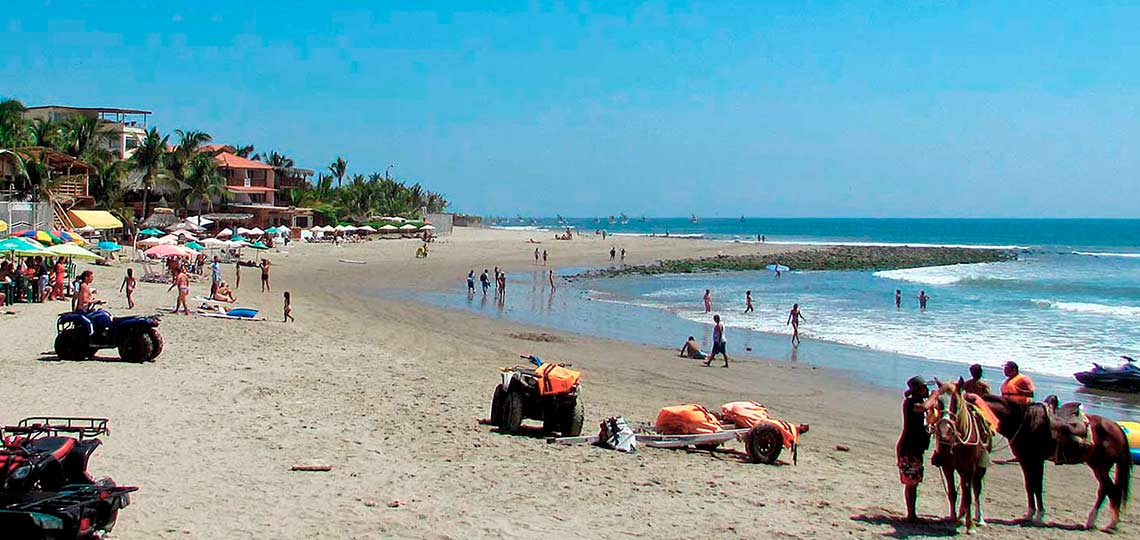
(1071, 299)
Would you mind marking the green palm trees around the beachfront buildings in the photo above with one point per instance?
(184, 178)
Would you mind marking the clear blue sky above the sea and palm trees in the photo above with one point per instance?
(720, 109)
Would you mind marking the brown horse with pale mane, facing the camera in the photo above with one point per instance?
(964, 439)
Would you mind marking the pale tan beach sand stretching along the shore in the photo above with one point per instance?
(389, 395)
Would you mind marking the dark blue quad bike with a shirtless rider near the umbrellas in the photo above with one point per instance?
(82, 334)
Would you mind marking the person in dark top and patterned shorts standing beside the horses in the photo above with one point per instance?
(913, 444)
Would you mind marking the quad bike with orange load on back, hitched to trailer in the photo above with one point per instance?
(548, 392)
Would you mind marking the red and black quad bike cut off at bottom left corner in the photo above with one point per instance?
(46, 492)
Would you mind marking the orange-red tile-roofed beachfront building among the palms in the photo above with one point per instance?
(255, 191)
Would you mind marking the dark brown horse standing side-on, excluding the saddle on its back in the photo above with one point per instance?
(1031, 438)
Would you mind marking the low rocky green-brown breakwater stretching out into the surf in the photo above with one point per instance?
(840, 258)
